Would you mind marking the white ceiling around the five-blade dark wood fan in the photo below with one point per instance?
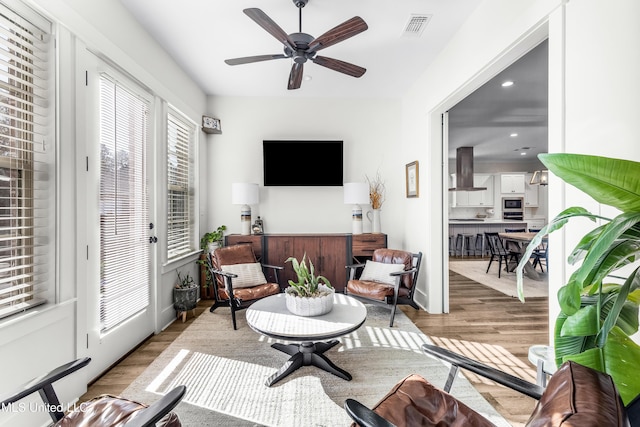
(201, 34)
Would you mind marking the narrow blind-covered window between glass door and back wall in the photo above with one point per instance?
(180, 186)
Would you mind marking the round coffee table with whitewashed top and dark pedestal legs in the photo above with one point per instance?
(269, 316)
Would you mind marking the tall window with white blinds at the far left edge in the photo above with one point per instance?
(26, 165)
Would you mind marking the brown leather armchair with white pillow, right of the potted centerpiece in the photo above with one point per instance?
(399, 288)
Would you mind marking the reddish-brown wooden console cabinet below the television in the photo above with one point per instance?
(330, 253)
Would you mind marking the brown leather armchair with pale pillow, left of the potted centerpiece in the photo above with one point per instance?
(247, 289)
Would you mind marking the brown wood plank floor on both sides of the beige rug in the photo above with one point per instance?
(482, 323)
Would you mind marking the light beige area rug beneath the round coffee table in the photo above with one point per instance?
(225, 372)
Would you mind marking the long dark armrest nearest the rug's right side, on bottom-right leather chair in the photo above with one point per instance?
(460, 361)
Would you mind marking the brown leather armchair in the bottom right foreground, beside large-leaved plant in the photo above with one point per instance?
(576, 396)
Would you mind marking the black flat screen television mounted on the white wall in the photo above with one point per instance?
(302, 163)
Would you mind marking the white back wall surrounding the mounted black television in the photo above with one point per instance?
(369, 128)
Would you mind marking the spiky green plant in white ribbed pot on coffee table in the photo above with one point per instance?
(311, 295)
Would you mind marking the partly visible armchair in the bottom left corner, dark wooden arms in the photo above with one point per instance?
(102, 411)
